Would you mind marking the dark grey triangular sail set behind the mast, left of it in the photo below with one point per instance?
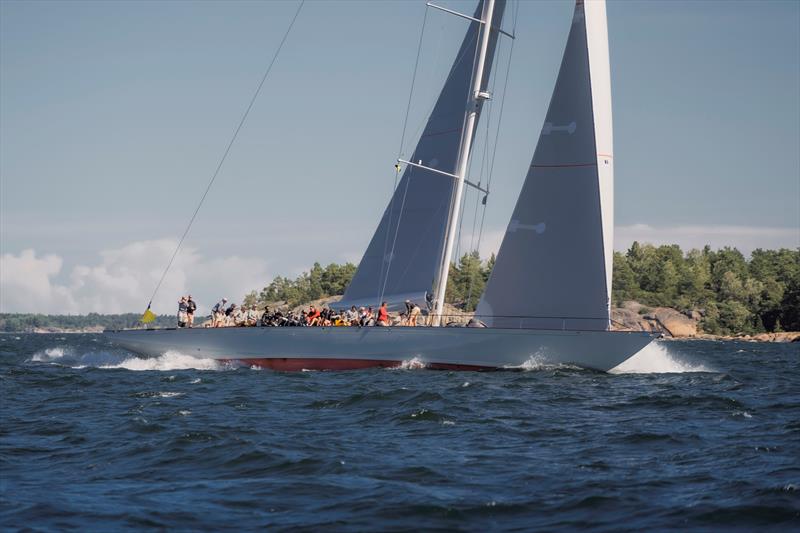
(402, 257)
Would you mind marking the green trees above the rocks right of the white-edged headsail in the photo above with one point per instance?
(731, 294)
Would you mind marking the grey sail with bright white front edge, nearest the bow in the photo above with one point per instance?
(553, 270)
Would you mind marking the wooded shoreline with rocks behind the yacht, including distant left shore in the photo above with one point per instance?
(711, 294)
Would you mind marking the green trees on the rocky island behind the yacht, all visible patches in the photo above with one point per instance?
(730, 293)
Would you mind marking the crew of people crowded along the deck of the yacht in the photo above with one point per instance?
(224, 315)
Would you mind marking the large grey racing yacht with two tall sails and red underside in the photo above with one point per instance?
(549, 293)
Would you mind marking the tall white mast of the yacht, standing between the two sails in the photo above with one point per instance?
(462, 162)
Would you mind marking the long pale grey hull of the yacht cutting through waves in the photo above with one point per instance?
(292, 348)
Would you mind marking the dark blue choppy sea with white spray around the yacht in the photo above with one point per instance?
(701, 435)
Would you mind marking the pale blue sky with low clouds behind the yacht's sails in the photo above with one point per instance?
(113, 116)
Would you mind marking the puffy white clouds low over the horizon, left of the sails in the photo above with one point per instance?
(123, 280)
